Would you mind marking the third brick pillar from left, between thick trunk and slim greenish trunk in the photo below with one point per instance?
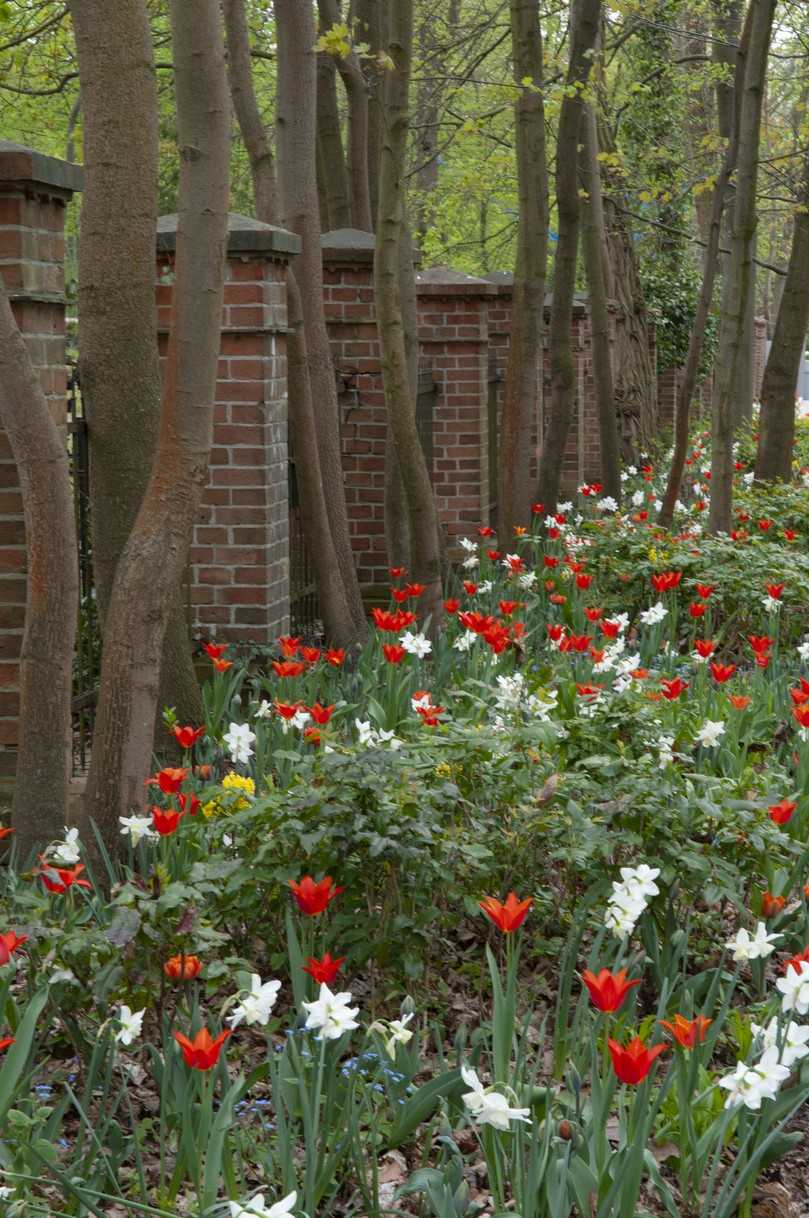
(352, 322)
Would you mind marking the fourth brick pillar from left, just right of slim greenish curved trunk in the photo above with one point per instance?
(454, 336)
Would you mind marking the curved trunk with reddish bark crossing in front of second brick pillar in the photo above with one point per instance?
(158, 550)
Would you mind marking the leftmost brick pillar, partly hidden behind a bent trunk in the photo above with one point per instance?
(35, 191)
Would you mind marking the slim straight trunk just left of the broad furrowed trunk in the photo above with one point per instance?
(595, 259)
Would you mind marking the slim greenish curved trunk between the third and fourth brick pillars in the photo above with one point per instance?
(388, 286)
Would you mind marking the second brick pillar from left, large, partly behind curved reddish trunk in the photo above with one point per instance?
(239, 583)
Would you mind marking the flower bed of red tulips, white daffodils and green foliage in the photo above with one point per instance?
(507, 919)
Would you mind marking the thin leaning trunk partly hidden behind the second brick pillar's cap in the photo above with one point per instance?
(332, 594)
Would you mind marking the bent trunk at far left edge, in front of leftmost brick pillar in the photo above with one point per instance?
(44, 755)
